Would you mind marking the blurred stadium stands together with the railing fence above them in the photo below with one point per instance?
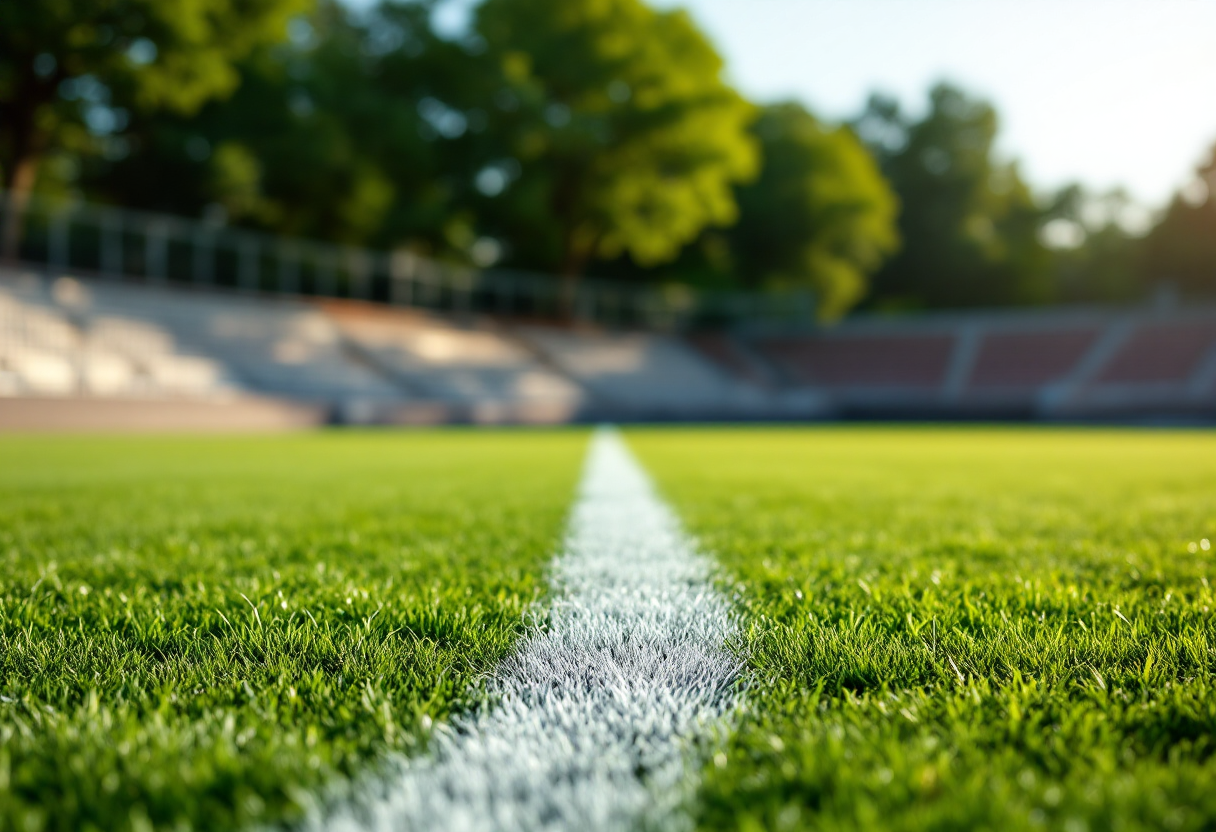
(125, 319)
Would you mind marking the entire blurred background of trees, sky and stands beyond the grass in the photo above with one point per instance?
(278, 213)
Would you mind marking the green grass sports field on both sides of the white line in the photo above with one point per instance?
(937, 628)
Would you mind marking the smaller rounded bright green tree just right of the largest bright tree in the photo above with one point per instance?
(819, 215)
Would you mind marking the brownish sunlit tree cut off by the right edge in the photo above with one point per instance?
(1181, 250)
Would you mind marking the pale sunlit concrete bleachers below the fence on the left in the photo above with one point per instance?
(67, 341)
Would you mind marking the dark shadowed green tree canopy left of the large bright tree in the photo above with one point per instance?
(341, 134)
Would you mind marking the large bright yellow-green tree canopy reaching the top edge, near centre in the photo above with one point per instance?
(621, 133)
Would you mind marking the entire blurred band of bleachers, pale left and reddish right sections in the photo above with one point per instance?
(74, 346)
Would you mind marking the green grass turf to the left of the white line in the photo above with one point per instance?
(196, 633)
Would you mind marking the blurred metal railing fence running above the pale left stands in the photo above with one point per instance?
(119, 244)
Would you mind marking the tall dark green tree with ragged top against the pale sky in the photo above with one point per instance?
(969, 222)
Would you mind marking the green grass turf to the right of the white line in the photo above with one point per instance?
(958, 629)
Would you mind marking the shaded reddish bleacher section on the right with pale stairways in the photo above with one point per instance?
(1033, 364)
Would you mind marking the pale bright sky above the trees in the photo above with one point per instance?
(1107, 93)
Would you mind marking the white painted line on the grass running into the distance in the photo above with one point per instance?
(594, 719)
